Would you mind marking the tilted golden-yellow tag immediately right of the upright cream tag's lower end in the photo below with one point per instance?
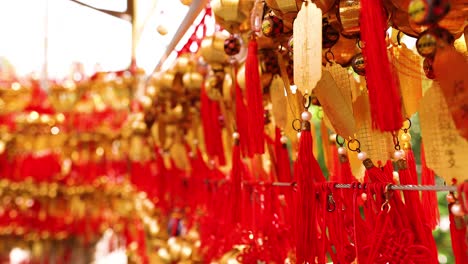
(335, 106)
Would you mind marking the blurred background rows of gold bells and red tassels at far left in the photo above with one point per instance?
(81, 121)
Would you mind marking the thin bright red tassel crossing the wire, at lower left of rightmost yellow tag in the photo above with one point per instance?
(431, 215)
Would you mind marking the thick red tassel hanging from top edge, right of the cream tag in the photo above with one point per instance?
(381, 80)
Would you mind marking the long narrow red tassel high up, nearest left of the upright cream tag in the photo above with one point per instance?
(255, 114)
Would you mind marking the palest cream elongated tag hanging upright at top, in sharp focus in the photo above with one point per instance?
(307, 47)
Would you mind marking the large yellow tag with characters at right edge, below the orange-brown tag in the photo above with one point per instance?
(446, 151)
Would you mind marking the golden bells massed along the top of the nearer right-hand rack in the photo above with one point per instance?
(433, 23)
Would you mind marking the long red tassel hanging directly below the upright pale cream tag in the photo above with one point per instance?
(307, 171)
